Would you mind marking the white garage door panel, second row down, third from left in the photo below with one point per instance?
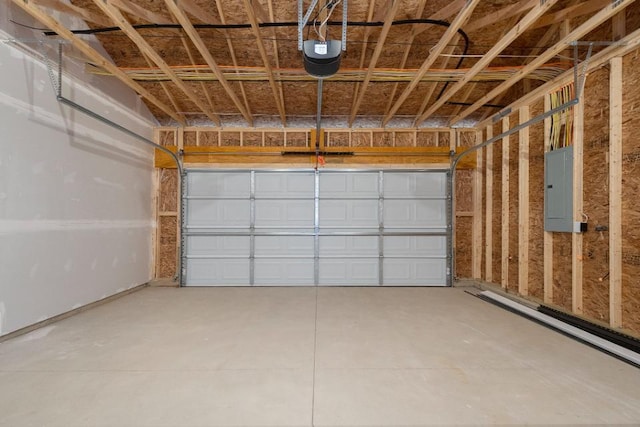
(349, 213)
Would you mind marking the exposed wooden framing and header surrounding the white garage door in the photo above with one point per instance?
(207, 147)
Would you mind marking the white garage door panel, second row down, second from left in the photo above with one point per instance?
(284, 213)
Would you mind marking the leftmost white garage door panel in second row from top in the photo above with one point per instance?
(219, 213)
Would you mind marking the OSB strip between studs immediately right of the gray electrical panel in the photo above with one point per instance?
(595, 286)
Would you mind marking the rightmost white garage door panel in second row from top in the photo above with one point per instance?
(415, 214)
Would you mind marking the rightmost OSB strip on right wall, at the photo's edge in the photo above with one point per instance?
(630, 192)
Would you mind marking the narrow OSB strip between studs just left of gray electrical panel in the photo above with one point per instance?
(536, 203)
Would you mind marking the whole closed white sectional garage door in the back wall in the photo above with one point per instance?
(305, 228)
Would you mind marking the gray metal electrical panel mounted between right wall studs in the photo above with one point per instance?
(558, 190)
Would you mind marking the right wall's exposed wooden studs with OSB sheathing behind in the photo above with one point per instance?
(574, 267)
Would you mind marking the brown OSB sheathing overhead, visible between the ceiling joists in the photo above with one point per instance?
(299, 97)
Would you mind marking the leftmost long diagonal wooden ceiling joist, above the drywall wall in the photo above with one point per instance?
(96, 57)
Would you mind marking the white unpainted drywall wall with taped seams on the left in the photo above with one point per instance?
(75, 195)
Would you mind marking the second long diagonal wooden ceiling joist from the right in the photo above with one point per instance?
(486, 59)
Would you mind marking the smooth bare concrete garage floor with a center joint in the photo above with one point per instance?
(306, 356)
